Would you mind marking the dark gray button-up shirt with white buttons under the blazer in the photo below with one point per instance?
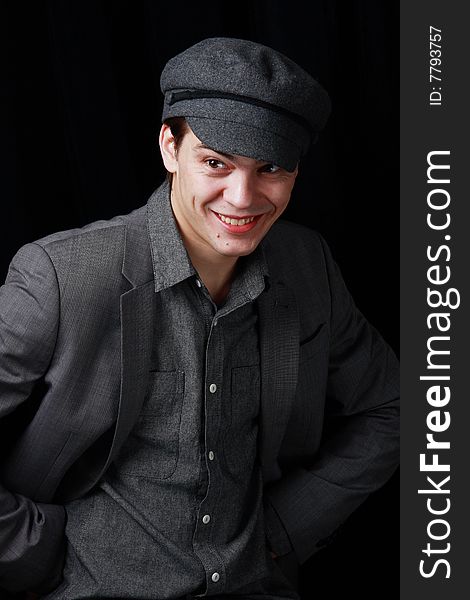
(180, 510)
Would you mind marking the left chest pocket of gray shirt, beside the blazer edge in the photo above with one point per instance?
(152, 448)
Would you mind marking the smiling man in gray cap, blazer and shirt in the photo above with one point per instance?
(196, 399)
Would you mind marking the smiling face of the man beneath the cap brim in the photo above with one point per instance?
(224, 204)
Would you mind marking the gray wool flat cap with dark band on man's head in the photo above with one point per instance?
(240, 97)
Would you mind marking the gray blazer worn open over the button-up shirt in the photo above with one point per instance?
(76, 324)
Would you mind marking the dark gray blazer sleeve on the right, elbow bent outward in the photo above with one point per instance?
(360, 447)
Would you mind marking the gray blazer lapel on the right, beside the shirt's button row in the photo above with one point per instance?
(279, 348)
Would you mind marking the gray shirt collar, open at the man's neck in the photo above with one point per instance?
(171, 262)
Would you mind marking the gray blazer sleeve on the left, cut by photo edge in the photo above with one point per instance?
(31, 534)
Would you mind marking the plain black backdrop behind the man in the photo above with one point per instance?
(79, 118)
